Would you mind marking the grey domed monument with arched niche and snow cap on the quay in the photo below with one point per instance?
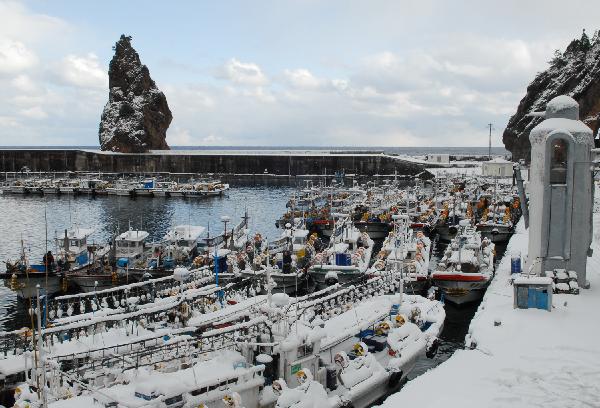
(561, 191)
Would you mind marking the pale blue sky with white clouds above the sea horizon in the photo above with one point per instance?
(284, 73)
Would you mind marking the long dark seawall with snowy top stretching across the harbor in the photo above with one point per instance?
(238, 163)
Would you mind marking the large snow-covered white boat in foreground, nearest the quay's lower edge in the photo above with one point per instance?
(353, 353)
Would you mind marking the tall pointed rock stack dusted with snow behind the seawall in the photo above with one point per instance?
(136, 117)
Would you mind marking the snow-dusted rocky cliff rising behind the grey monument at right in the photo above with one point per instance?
(576, 73)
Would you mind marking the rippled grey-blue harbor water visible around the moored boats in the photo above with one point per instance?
(31, 218)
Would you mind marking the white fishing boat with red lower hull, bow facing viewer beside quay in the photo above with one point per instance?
(467, 267)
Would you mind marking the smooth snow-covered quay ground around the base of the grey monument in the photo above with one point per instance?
(533, 358)
